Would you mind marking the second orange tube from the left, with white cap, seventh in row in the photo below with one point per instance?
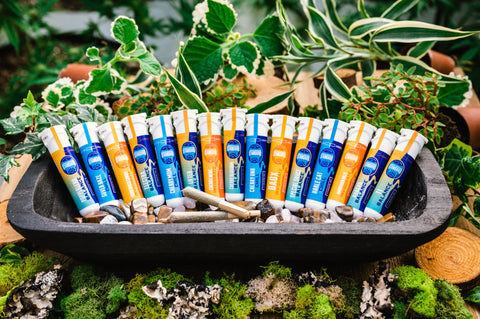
(209, 126)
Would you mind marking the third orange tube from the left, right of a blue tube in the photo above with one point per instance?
(280, 152)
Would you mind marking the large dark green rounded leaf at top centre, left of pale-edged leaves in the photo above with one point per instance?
(204, 58)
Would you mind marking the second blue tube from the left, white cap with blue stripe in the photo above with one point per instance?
(162, 132)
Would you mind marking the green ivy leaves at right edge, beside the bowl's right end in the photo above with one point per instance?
(462, 170)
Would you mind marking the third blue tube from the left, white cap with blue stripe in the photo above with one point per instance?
(256, 156)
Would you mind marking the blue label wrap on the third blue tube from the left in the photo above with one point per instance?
(255, 167)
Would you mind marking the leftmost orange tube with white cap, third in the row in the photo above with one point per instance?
(111, 134)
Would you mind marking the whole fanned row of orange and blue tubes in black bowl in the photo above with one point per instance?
(330, 165)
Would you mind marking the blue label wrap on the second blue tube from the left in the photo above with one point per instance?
(169, 167)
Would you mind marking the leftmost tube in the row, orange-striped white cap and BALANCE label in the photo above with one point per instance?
(56, 140)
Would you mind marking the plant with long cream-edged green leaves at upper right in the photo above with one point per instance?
(363, 43)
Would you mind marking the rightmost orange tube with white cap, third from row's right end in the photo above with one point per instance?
(359, 137)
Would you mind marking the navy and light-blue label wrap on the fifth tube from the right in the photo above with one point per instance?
(301, 172)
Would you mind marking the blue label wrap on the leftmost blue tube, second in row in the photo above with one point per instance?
(98, 172)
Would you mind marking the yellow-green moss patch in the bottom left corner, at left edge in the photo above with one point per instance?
(12, 275)
